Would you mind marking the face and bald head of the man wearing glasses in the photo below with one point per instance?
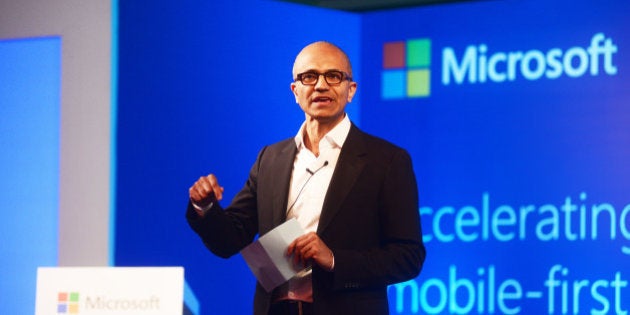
(322, 101)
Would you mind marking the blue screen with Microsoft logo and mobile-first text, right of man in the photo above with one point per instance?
(516, 115)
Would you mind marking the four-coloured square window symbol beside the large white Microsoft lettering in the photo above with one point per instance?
(406, 69)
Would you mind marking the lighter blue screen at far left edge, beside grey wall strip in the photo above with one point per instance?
(30, 76)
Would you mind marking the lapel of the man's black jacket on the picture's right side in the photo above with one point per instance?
(350, 164)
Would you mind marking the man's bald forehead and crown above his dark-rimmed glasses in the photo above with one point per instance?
(321, 58)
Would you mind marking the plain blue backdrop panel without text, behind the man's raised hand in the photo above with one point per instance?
(203, 85)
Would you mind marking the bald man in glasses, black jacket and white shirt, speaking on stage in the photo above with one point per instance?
(355, 195)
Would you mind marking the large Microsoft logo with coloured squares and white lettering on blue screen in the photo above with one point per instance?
(407, 65)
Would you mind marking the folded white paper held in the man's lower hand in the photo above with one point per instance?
(267, 259)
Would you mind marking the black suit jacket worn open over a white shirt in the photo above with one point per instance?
(369, 220)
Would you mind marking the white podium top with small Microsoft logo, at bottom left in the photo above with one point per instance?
(110, 290)
